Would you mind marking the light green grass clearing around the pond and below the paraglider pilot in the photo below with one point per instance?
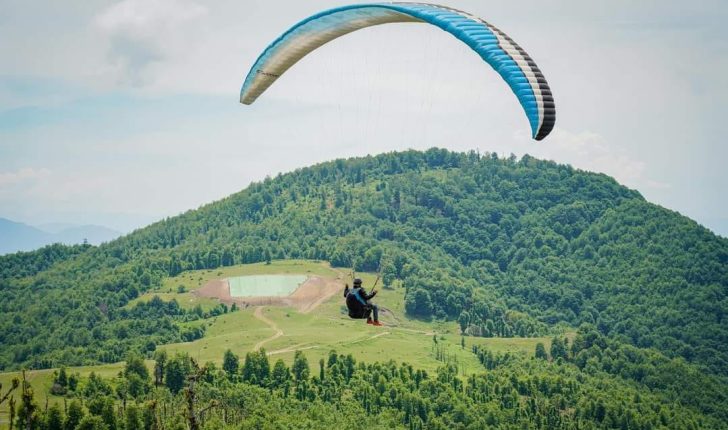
(316, 333)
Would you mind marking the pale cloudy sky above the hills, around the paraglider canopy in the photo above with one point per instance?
(121, 113)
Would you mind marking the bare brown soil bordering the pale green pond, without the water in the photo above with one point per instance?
(307, 297)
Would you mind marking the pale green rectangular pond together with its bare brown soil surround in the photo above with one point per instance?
(302, 292)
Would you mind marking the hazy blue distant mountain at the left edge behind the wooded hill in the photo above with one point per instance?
(15, 236)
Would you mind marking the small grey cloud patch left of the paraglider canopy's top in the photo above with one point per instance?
(143, 32)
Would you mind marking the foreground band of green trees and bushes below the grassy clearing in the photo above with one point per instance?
(548, 390)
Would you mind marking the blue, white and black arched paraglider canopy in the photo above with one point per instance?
(495, 47)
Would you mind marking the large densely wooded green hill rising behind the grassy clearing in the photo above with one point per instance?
(508, 247)
